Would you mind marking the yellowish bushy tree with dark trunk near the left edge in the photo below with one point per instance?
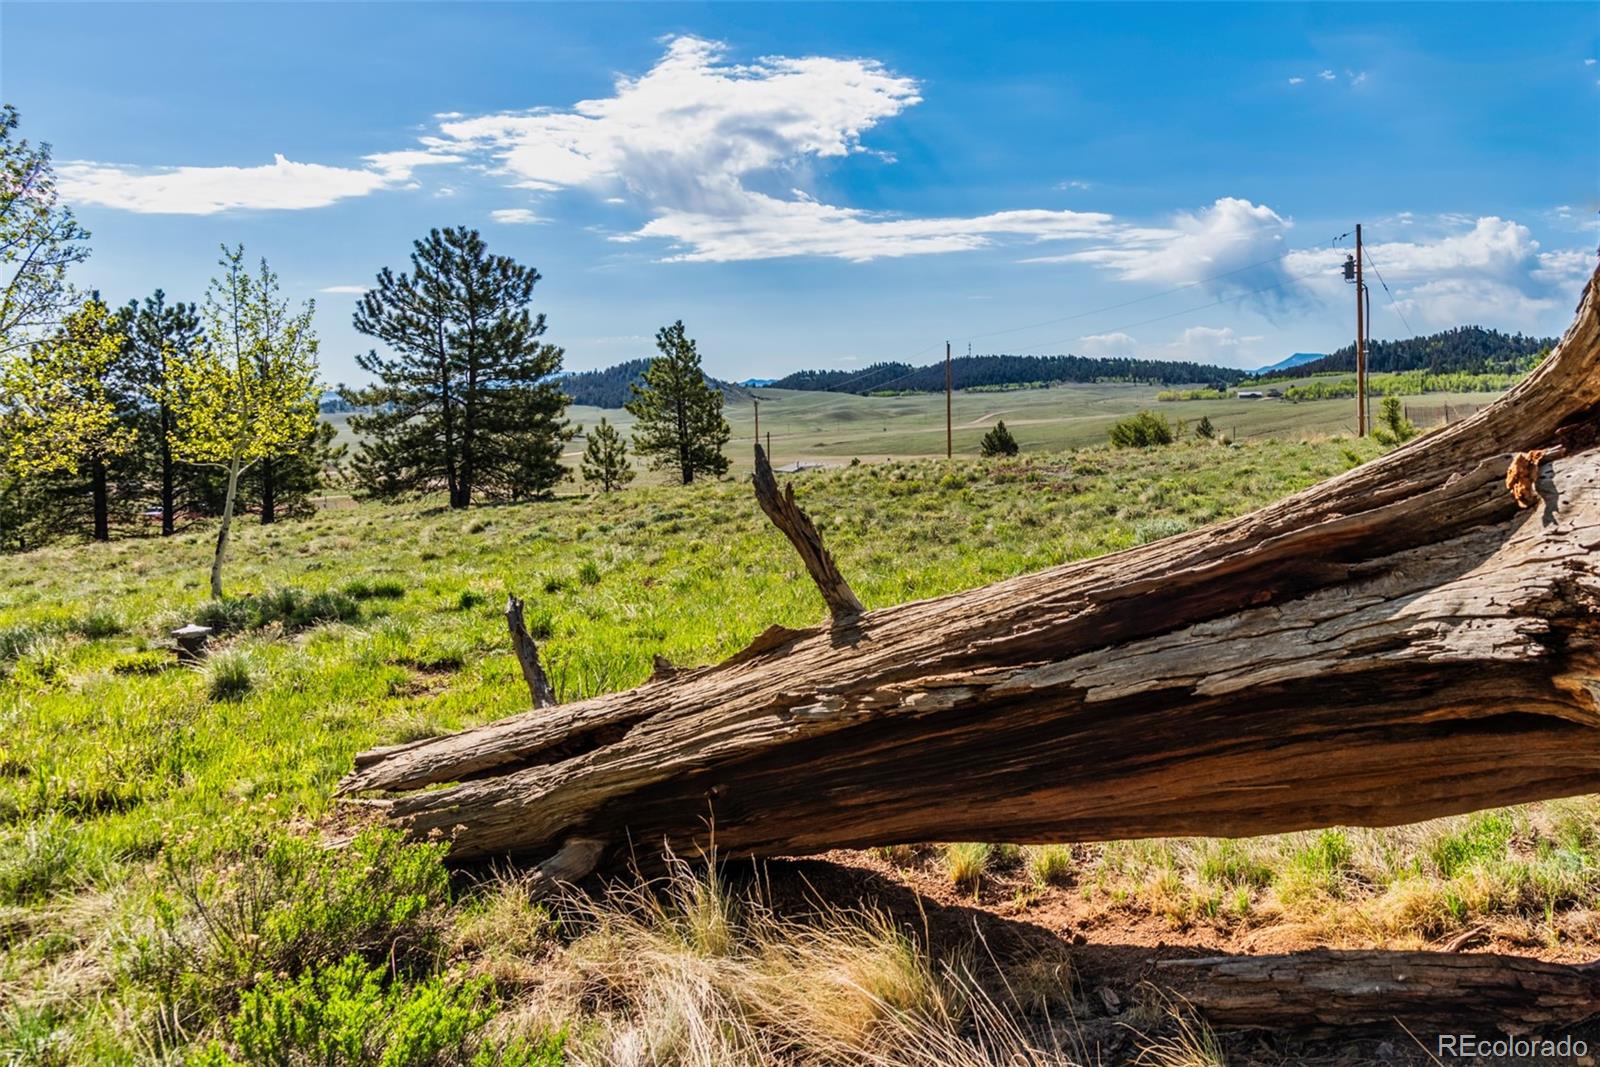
(62, 409)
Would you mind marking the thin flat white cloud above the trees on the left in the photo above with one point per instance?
(279, 186)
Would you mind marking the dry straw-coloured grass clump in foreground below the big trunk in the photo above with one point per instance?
(687, 972)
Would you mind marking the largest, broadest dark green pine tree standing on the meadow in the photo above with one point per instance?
(466, 402)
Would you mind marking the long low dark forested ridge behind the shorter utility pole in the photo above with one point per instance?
(978, 372)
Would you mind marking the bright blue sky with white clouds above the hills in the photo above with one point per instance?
(833, 185)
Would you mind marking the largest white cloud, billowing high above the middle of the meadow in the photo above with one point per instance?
(703, 145)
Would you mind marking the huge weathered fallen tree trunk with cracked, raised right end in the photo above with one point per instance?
(1398, 644)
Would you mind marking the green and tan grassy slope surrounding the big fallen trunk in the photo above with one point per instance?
(162, 893)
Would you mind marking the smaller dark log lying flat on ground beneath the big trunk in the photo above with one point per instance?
(1343, 989)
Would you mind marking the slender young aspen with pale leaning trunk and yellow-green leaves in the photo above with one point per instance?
(250, 390)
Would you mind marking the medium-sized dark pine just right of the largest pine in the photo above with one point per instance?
(681, 425)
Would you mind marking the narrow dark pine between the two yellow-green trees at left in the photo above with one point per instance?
(156, 335)
